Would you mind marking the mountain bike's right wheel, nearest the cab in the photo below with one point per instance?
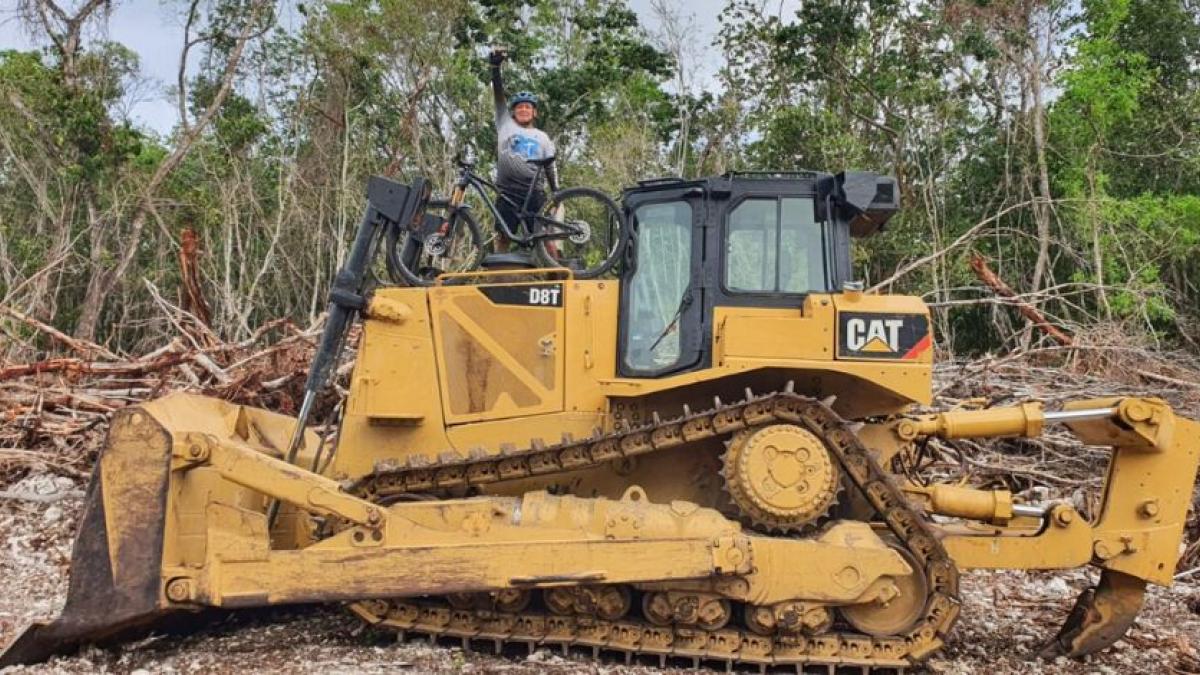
(583, 230)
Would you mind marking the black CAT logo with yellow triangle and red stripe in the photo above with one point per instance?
(883, 336)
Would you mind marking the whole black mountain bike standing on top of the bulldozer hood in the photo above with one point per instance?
(579, 229)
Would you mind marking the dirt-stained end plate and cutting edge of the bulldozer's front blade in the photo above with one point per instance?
(118, 552)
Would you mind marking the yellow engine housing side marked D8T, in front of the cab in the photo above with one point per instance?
(398, 409)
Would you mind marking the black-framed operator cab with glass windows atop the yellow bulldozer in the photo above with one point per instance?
(741, 240)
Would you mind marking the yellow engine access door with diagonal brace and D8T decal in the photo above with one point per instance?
(500, 349)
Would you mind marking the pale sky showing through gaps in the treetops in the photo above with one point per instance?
(154, 29)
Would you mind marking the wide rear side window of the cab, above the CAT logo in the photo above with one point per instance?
(775, 246)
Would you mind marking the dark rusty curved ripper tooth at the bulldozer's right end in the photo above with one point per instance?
(1102, 616)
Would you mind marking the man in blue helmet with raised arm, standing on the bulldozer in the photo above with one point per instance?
(518, 142)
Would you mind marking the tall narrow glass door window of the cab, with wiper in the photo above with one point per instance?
(658, 290)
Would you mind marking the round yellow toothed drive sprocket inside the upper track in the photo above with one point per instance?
(781, 476)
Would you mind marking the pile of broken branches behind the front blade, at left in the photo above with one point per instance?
(55, 410)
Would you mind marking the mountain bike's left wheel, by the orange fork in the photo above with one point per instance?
(442, 246)
